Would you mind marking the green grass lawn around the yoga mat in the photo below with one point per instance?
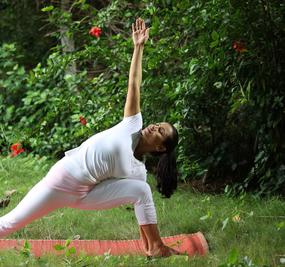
(258, 235)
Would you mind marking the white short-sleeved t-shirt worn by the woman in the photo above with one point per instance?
(108, 154)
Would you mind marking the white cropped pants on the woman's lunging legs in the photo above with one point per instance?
(42, 199)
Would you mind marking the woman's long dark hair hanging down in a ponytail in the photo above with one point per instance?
(166, 172)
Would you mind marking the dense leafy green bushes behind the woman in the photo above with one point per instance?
(226, 102)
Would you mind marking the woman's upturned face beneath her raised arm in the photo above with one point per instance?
(155, 135)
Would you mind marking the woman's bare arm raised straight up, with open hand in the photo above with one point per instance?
(139, 36)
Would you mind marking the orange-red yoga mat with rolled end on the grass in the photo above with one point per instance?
(191, 244)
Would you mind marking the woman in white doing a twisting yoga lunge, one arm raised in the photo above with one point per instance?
(107, 169)
